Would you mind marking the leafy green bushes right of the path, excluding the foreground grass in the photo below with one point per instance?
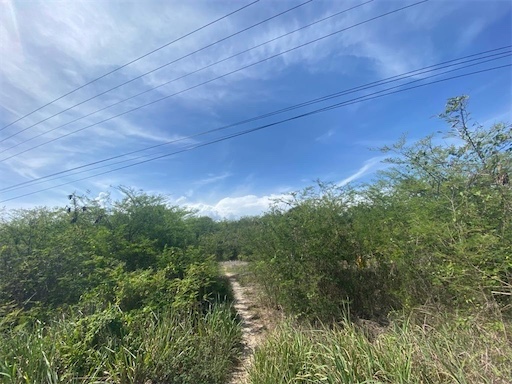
(435, 227)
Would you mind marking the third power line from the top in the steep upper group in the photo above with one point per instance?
(173, 80)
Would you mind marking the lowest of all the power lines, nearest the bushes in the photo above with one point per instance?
(227, 137)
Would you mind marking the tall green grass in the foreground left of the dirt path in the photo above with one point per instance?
(157, 348)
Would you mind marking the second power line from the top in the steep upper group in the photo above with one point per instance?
(158, 68)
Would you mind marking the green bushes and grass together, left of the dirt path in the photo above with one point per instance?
(119, 293)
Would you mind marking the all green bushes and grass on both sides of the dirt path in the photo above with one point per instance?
(407, 279)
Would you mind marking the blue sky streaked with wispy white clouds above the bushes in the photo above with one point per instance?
(50, 48)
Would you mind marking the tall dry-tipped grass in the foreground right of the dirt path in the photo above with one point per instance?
(449, 351)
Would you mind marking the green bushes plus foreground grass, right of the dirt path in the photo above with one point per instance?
(357, 267)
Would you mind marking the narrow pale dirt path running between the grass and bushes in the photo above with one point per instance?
(254, 322)
